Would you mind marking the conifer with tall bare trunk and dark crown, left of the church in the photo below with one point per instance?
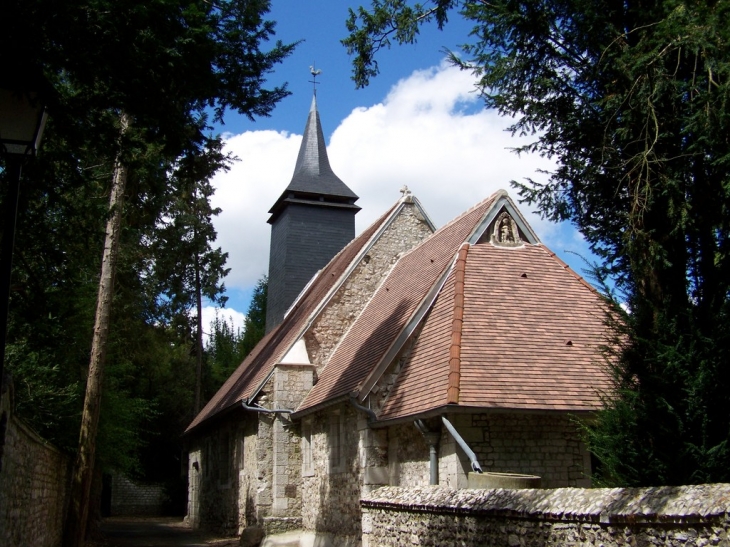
(140, 73)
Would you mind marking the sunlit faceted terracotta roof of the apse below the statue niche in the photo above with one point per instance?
(529, 338)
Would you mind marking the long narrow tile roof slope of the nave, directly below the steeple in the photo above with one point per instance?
(254, 370)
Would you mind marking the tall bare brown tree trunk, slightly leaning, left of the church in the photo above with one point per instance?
(84, 466)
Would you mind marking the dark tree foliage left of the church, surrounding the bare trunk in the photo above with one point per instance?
(166, 64)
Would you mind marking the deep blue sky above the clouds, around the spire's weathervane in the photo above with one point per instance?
(320, 25)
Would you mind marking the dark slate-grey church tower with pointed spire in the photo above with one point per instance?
(313, 219)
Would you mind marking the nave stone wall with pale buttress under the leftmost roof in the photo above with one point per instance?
(245, 472)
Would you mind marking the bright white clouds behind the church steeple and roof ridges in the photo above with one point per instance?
(429, 133)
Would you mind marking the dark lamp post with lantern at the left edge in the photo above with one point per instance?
(22, 119)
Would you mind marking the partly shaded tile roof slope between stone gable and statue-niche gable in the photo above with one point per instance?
(391, 307)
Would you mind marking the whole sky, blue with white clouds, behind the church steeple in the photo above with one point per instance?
(419, 123)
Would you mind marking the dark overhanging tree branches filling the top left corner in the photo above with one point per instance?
(140, 57)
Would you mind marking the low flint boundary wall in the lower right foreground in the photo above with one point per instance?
(437, 516)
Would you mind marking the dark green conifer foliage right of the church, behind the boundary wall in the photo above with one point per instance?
(631, 100)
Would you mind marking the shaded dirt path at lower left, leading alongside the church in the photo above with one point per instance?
(156, 532)
